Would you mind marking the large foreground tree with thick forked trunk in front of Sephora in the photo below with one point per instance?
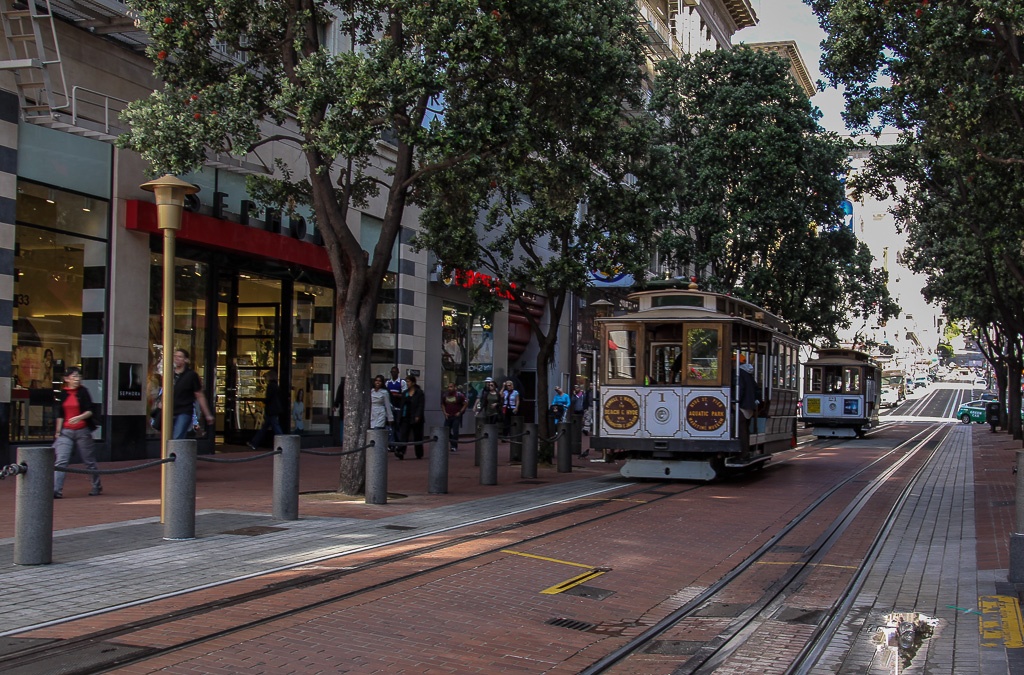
(327, 80)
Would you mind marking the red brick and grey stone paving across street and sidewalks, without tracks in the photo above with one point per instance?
(950, 546)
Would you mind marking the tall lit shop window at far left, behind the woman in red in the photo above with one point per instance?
(59, 303)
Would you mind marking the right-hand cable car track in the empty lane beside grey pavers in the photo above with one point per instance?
(636, 645)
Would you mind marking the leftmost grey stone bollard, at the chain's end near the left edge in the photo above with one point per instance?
(34, 508)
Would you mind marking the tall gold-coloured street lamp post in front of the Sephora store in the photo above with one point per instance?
(170, 194)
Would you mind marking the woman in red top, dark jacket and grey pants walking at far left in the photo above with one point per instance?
(73, 411)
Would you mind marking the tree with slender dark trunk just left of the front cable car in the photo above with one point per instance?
(541, 224)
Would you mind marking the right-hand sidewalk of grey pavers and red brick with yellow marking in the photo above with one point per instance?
(944, 567)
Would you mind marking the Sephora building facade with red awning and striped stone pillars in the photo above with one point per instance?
(81, 267)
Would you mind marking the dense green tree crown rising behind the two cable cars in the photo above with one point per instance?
(753, 188)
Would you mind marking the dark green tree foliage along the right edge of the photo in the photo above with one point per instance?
(948, 77)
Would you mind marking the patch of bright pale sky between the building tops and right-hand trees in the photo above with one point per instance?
(792, 20)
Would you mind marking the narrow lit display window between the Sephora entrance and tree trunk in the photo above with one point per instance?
(313, 330)
